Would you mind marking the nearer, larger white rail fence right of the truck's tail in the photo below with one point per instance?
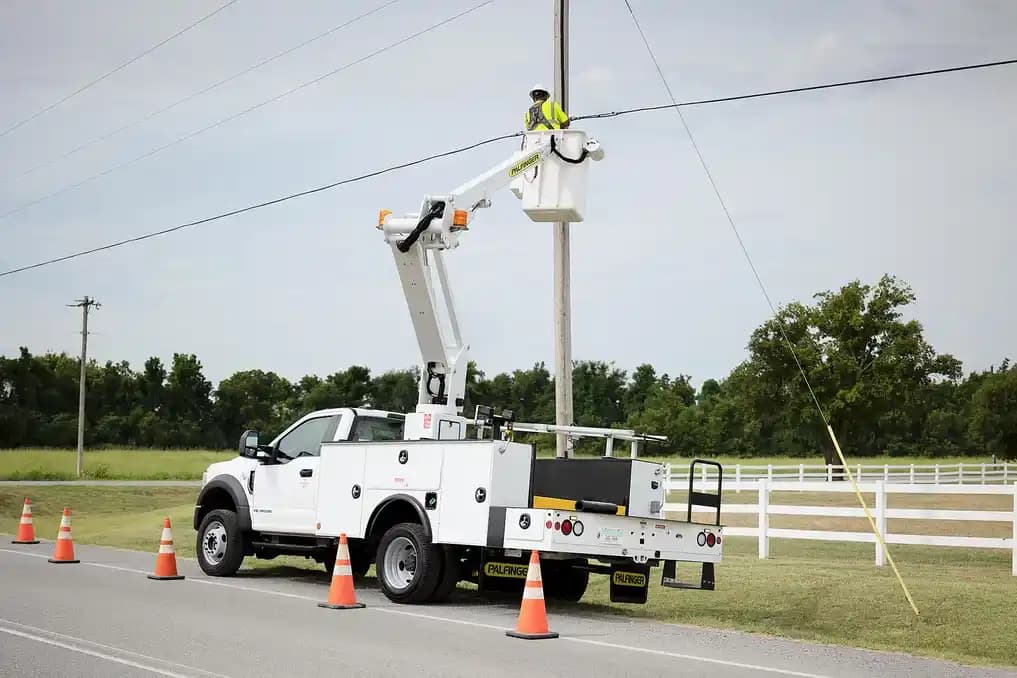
(881, 513)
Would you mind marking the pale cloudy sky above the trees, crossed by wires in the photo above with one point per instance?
(911, 178)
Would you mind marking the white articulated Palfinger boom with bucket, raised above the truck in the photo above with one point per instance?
(418, 241)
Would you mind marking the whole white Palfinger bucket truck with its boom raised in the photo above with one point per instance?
(428, 505)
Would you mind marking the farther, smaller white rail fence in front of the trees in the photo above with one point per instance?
(936, 474)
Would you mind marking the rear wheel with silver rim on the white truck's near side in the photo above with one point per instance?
(408, 565)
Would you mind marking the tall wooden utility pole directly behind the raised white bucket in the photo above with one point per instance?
(563, 294)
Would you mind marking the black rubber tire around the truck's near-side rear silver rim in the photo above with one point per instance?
(427, 569)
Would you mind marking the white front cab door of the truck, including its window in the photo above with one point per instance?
(284, 496)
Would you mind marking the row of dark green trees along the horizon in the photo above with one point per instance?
(883, 390)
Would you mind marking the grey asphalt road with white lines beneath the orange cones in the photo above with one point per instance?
(104, 618)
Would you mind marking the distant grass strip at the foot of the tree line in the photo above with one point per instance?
(189, 465)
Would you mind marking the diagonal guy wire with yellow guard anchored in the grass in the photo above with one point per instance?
(773, 311)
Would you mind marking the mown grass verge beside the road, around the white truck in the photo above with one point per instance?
(827, 593)
